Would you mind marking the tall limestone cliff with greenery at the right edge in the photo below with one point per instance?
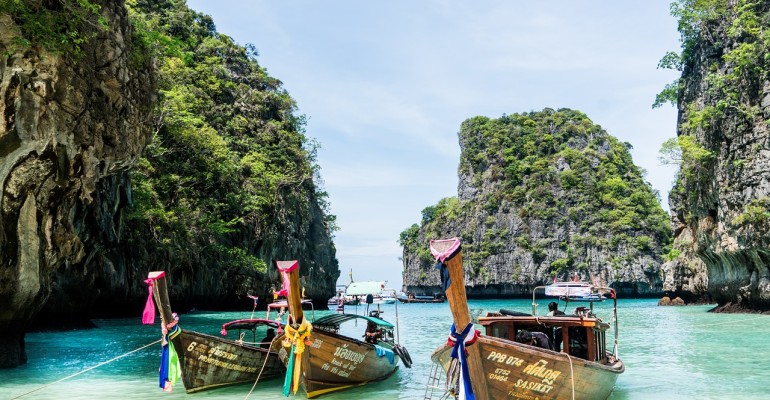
(720, 205)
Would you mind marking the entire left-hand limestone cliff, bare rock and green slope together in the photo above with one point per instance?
(90, 204)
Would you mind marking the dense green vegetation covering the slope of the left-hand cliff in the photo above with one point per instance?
(229, 167)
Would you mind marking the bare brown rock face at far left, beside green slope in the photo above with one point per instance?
(70, 129)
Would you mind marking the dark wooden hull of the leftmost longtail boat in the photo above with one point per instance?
(209, 362)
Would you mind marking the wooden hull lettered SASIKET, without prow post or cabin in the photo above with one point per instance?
(515, 371)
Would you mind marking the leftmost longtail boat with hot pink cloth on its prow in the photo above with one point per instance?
(205, 361)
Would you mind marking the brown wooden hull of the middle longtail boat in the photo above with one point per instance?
(334, 362)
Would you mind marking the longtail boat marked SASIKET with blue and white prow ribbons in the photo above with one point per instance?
(514, 358)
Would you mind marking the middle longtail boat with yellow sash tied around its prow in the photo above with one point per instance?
(319, 359)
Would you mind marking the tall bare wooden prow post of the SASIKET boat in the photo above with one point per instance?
(458, 304)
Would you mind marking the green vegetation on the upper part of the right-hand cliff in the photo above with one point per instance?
(733, 78)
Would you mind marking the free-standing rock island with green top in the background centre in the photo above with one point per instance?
(542, 196)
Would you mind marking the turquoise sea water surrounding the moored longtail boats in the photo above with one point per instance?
(670, 352)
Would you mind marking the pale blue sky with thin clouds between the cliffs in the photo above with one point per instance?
(385, 86)
